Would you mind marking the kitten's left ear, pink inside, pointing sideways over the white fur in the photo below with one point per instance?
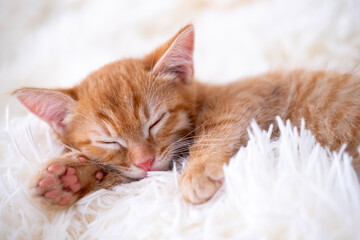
(53, 106)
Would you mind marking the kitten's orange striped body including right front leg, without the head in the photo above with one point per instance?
(329, 102)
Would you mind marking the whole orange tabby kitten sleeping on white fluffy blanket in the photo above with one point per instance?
(135, 115)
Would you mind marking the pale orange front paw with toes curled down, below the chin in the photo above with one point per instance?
(199, 182)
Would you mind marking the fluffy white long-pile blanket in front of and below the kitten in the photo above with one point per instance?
(289, 188)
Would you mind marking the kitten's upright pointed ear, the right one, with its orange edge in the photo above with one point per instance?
(175, 57)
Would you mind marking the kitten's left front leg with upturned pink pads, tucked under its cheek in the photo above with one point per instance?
(64, 180)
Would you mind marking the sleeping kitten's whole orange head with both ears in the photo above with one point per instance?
(133, 114)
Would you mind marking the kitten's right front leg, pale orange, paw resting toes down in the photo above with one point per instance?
(203, 174)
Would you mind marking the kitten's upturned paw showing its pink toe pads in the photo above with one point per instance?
(59, 182)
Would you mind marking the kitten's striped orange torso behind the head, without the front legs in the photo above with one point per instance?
(328, 101)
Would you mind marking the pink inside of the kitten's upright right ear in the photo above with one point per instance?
(178, 59)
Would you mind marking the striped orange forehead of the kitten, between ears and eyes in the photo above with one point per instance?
(124, 97)
